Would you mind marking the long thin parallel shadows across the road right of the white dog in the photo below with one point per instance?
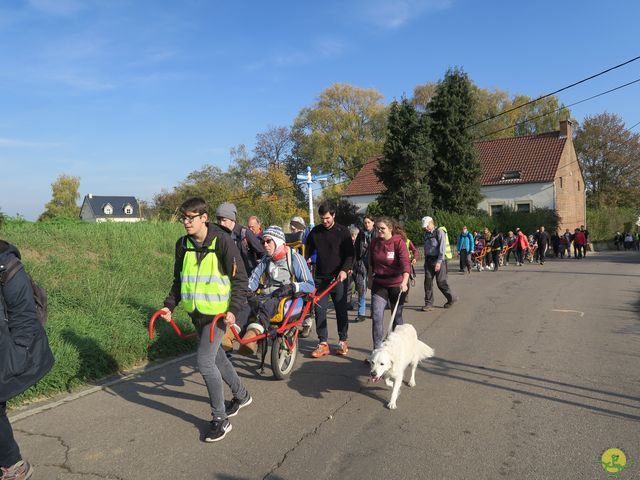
(538, 387)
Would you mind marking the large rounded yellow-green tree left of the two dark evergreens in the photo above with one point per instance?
(341, 131)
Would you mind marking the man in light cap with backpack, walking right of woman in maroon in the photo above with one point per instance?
(436, 252)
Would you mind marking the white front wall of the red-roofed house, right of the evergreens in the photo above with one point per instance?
(538, 194)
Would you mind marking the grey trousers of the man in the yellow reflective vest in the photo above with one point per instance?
(215, 368)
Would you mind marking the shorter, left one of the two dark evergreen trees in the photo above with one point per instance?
(407, 161)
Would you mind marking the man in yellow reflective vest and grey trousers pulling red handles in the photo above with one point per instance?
(209, 279)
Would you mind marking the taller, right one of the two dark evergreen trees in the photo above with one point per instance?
(455, 179)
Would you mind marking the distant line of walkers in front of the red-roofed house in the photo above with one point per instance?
(488, 250)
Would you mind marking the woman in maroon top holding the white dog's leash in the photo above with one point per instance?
(390, 268)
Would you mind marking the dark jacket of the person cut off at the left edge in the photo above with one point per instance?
(25, 356)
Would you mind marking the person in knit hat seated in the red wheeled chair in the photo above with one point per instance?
(281, 273)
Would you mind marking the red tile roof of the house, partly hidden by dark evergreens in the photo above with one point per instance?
(534, 157)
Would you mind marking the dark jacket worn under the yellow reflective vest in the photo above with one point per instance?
(230, 264)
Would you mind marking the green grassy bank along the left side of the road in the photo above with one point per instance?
(104, 282)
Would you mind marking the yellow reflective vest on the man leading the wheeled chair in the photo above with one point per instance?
(203, 287)
